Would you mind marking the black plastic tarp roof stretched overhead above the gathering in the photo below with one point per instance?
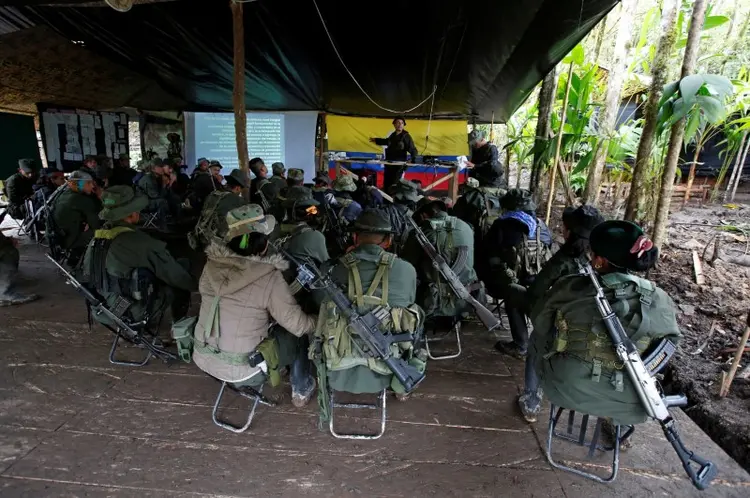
(483, 57)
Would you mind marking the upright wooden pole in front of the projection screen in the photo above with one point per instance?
(238, 92)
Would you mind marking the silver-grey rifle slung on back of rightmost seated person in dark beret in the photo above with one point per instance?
(655, 405)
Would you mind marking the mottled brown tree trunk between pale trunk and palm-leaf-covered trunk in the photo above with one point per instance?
(637, 196)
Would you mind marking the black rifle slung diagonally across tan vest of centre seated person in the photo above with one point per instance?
(370, 327)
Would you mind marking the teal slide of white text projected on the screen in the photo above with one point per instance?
(215, 140)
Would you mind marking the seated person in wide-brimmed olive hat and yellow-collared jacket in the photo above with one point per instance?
(121, 261)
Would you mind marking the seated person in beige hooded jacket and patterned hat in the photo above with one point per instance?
(242, 291)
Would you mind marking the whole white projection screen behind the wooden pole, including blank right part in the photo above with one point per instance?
(288, 137)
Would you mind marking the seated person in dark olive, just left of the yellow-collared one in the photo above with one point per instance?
(75, 213)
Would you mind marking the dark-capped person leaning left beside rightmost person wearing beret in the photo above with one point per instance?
(577, 226)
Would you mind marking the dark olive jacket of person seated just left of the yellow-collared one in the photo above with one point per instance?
(76, 217)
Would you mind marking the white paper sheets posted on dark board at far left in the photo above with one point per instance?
(70, 134)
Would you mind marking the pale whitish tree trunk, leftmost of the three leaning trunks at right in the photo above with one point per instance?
(611, 101)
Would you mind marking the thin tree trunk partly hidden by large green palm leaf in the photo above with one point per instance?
(659, 234)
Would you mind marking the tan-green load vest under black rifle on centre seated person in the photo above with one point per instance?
(342, 349)
